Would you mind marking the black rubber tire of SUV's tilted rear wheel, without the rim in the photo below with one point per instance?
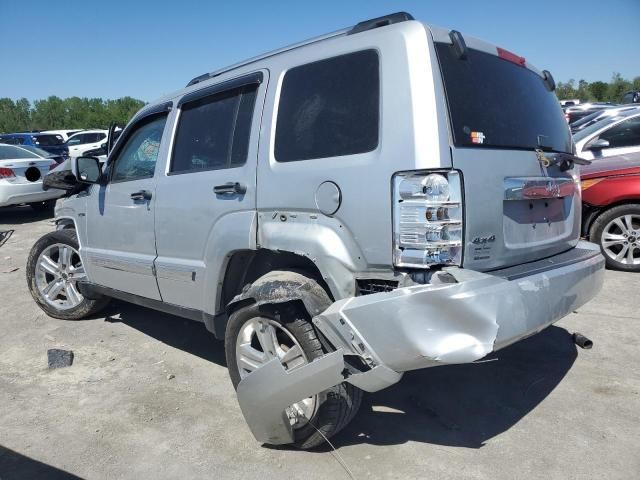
(335, 407)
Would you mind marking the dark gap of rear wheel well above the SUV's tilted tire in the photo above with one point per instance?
(246, 266)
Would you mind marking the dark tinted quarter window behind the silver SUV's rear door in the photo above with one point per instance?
(329, 108)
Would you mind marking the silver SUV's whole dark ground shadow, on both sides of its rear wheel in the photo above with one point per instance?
(455, 405)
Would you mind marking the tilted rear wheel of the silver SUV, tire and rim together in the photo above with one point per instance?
(256, 335)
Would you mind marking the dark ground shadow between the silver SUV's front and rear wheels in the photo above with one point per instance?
(187, 335)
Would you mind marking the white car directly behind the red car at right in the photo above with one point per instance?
(614, 135)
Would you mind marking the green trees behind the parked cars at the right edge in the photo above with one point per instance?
(597, 91)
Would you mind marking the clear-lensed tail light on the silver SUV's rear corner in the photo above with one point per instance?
(427, 219)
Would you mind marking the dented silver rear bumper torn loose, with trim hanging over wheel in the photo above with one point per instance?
(459, 321)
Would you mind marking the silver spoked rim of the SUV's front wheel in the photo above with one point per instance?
(58, 270)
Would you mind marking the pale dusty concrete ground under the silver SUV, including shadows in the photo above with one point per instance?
(148, 396)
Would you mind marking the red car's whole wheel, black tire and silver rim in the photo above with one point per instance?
(609, 229)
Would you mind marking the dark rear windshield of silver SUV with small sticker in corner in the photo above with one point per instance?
(494, 103)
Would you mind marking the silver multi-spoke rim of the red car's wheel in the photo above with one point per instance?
(621, 239)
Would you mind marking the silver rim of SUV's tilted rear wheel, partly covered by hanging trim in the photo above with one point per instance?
(261, 340)
